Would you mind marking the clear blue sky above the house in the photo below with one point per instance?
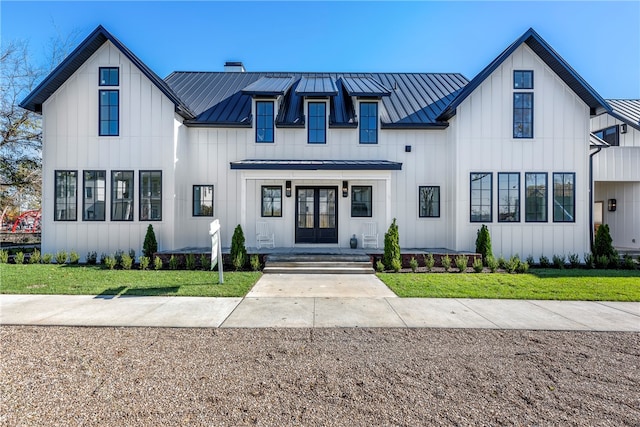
(600, 40)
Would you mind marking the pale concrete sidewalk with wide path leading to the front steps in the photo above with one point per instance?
(318, 301)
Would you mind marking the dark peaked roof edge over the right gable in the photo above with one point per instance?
(550, 57)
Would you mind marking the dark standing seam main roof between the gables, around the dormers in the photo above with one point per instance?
(415, 99)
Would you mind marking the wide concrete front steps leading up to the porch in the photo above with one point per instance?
(318, 264)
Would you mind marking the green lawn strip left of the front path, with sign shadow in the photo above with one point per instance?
(91, 280)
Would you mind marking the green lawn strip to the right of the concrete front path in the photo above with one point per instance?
(548, 284)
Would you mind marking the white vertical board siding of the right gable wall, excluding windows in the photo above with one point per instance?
(484, 142)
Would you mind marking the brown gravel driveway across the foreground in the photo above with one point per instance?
(275, 377)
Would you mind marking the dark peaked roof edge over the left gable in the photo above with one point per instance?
(80, 54)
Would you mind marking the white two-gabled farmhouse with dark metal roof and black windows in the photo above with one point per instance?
(316, 156)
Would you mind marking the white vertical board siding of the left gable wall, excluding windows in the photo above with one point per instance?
(71, 142)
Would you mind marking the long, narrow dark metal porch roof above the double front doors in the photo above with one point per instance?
(264, 164)
